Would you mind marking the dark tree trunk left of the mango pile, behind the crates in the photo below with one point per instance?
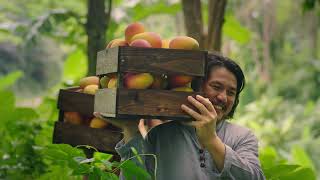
(96, 26)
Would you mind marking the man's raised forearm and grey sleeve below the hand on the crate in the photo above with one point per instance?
(239, 163)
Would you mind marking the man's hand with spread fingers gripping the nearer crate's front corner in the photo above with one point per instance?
(206, 120)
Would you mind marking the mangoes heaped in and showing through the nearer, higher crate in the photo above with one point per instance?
(136, 36)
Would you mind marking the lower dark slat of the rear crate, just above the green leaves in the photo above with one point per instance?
(102, 139)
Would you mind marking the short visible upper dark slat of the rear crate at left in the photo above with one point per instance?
(69, 100)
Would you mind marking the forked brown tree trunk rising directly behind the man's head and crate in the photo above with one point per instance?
(209, 39)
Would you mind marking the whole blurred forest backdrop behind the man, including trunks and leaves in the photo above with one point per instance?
(46, 45)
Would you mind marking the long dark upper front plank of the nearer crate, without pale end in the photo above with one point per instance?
(162, 61)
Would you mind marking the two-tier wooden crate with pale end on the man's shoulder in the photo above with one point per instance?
(147, 103)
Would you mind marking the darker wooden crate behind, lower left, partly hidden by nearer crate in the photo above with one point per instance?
(69, 100)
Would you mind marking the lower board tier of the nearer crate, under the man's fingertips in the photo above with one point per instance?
(147, 103)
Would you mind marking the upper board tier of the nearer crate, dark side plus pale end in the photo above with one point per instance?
(153, 60)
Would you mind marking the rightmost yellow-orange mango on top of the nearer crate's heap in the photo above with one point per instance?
(184, 42)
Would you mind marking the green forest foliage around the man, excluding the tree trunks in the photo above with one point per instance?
(283, 113)
